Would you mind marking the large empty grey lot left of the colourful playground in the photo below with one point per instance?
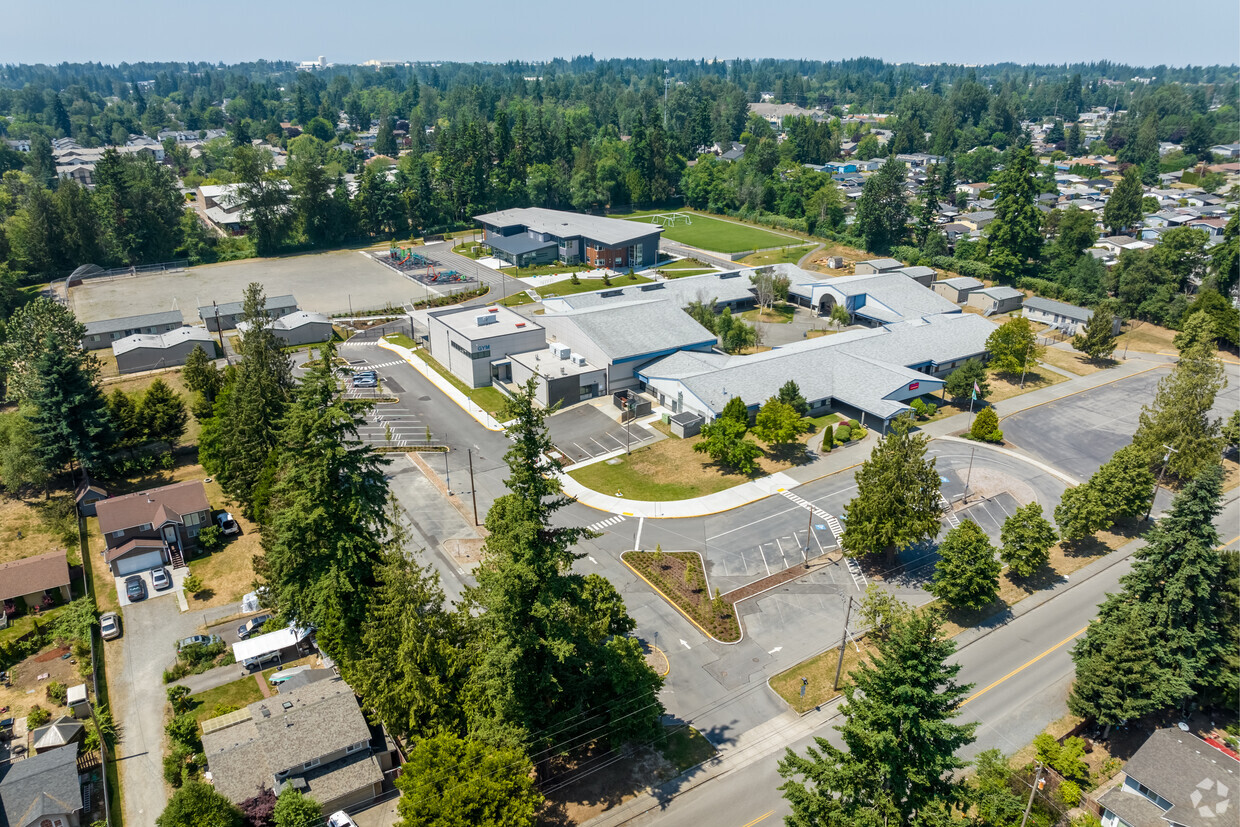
(329, 283)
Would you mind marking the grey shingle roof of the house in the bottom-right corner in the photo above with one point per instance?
(1191, 774)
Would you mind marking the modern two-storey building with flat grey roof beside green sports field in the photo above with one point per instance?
(571, 237)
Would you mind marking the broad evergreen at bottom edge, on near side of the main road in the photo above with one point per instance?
(901, 741)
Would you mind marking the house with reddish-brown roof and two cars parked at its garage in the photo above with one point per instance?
(153, 528)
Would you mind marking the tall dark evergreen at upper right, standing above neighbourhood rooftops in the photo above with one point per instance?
(1015, 235)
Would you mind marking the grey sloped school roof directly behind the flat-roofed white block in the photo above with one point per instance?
(623, 332)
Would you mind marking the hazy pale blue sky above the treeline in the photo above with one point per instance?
(968, 32)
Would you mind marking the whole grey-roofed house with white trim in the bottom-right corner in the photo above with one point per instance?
(1175, 779)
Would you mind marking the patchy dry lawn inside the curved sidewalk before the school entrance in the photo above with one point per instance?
(668, 471)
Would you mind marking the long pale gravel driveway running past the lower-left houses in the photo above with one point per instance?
(136, 679)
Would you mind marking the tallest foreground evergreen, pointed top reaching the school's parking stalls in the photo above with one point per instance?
(552, 645)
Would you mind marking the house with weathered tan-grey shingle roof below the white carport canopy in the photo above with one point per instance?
(314, 740)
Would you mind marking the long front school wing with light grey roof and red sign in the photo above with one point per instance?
(869, 374)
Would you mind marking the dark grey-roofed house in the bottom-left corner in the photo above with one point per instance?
(42, 792)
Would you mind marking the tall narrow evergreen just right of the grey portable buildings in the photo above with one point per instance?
(256, 404)
